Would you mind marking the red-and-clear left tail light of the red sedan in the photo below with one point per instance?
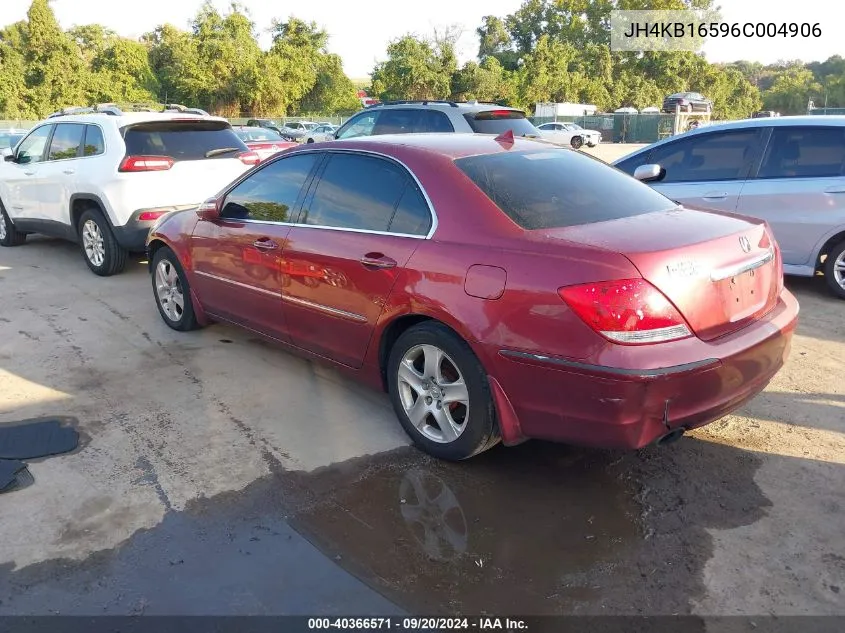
(627, 311)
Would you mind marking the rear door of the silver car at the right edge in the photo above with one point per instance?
(799, 189)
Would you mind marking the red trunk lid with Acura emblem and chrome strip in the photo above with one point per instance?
(720, 271)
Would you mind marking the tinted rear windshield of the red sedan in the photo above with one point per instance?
(559, 187)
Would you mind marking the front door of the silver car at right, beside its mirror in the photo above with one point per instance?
(707, 170)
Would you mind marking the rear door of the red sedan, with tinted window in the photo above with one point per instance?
(358, 228)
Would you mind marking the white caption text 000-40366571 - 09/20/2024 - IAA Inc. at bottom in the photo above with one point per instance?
(417, 624)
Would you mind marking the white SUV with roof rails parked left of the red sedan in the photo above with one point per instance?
(101, 177)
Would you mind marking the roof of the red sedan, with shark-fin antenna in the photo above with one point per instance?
(445, 144)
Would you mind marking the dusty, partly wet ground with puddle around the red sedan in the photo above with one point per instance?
(218, 474)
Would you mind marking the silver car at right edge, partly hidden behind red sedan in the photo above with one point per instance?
(787, 171)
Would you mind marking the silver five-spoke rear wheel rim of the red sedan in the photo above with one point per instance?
(433, 393)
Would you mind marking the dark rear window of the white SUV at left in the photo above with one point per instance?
(183, 140)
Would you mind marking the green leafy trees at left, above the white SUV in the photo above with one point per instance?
(217, 65)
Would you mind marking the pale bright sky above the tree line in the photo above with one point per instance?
(360, 31)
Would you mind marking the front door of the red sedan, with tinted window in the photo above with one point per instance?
(237, 259)
